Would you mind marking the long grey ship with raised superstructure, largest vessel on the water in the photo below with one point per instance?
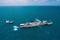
(37, 22)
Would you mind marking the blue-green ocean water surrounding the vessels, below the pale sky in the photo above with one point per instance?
(22, 14)
